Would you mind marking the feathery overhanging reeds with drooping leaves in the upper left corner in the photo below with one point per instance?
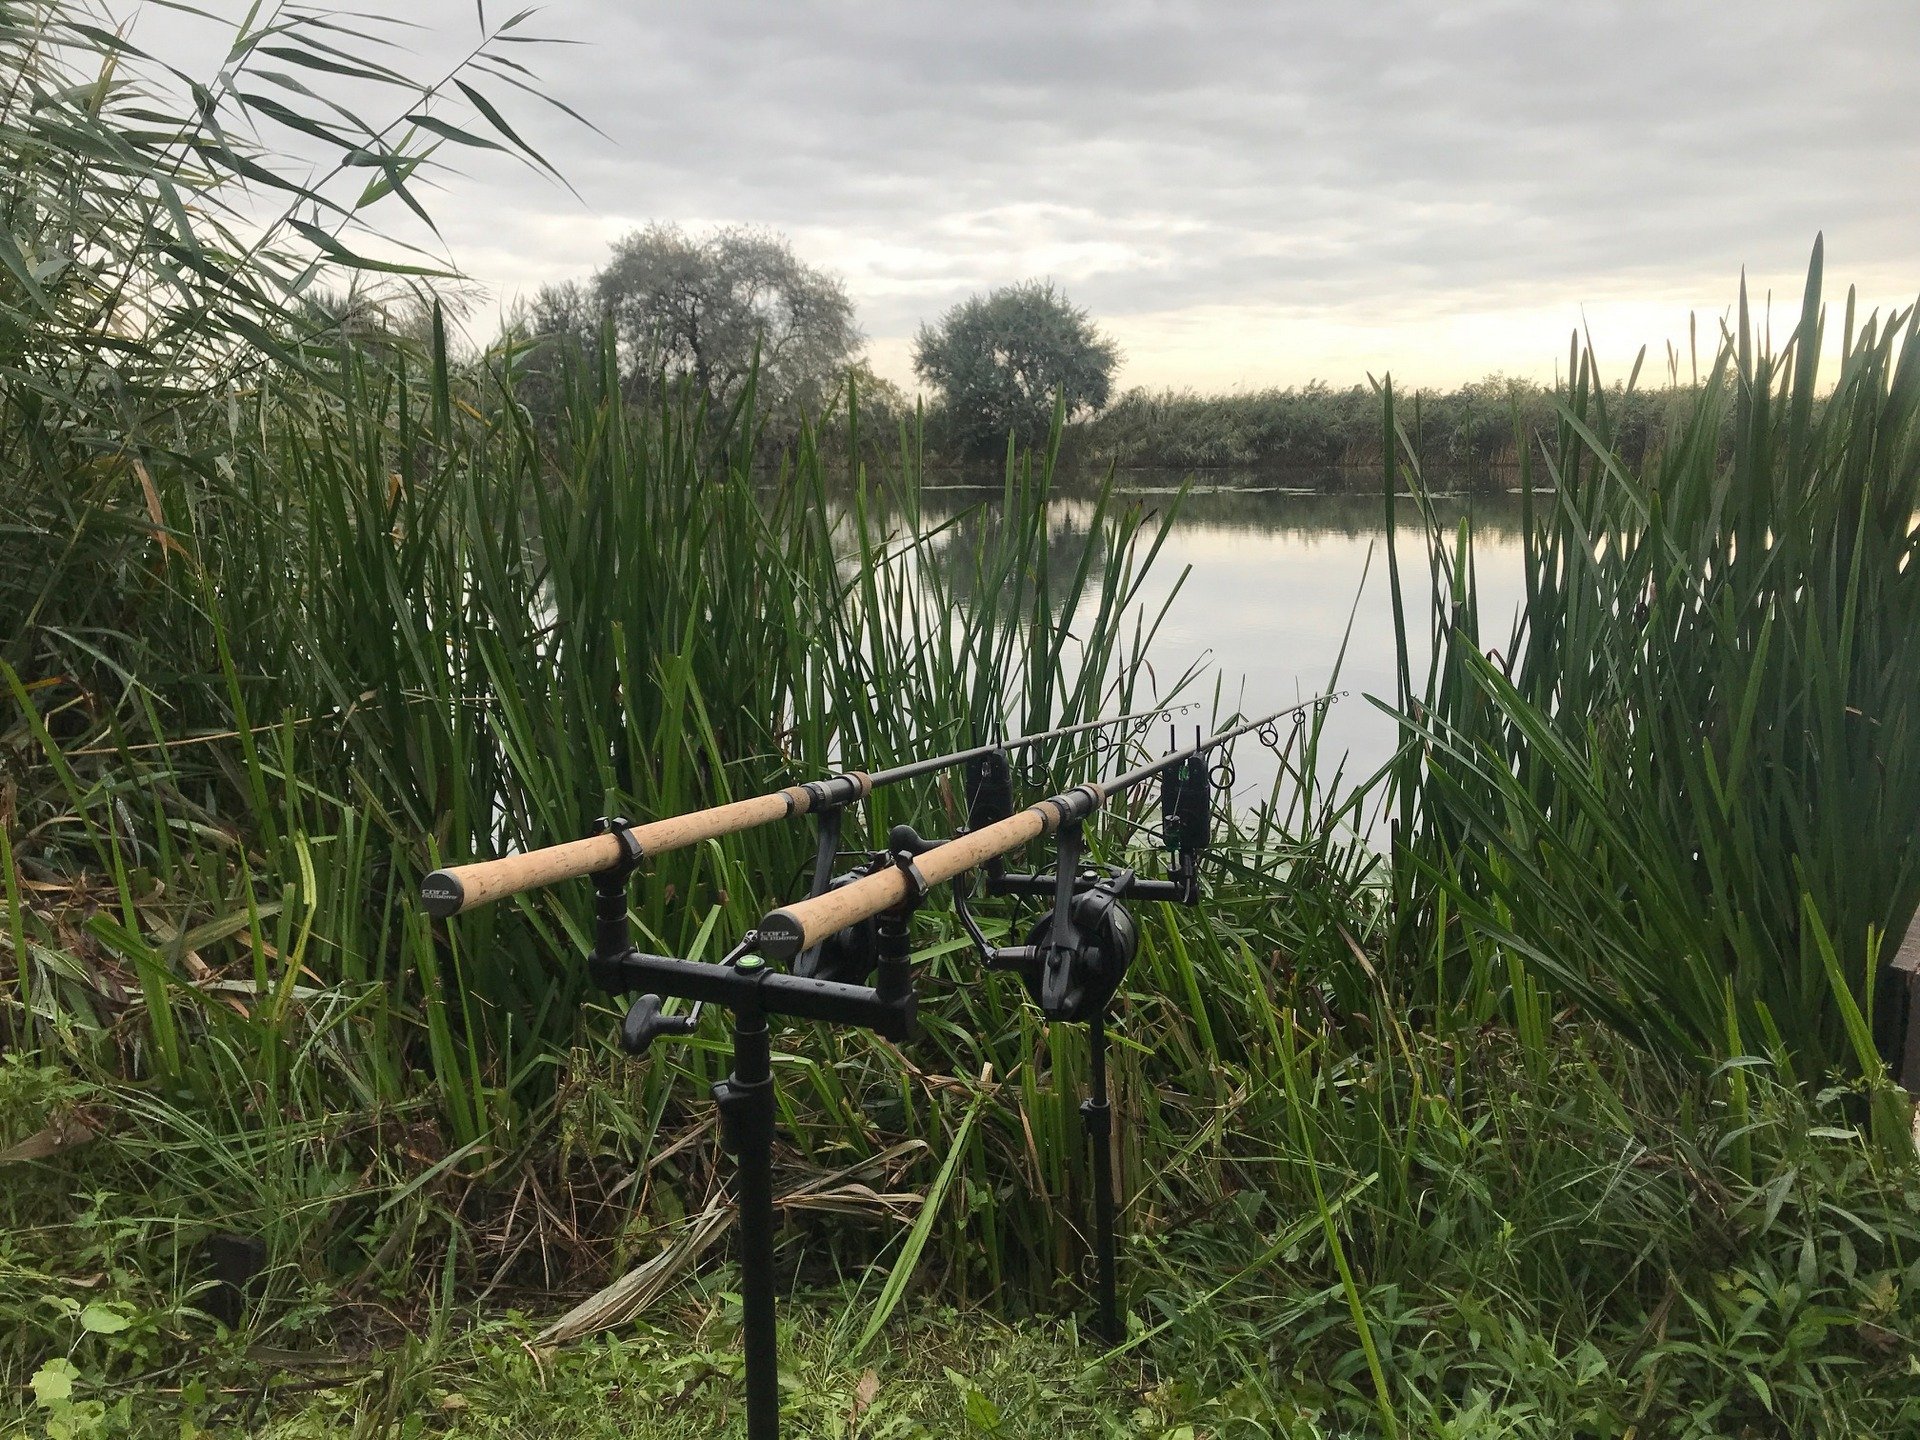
(170, 239)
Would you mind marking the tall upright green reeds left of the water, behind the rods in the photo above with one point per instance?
(443, 635)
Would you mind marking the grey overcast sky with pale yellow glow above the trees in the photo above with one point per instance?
(1243, 195)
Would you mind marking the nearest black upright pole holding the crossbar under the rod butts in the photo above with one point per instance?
(746, 1103)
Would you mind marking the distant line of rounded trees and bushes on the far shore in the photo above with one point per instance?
(713, 314)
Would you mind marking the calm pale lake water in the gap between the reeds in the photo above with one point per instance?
(1268, 581)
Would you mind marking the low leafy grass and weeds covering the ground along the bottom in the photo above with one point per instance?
(1531, 1245)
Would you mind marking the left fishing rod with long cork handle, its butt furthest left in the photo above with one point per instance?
(456, 890)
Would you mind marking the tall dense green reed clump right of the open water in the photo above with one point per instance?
(1683, 786)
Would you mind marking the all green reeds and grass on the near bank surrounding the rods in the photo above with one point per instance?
(1556, 1115)
